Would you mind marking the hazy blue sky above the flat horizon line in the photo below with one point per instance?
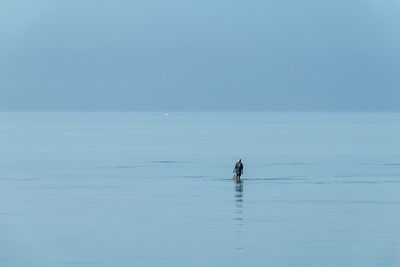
(200, 55)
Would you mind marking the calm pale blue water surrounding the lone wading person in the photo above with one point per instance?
(146, 189)
